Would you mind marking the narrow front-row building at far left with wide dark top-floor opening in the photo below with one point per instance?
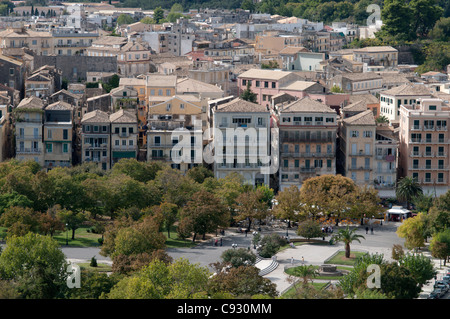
(58, 135)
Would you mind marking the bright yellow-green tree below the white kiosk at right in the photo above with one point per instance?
(412, 229)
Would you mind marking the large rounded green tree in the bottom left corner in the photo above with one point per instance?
(36, 264)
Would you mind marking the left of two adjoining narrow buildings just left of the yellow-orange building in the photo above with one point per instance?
(96, 138)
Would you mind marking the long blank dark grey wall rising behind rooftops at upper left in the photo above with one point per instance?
(75, 67)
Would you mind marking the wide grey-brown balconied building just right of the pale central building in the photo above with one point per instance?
(308, 131)
